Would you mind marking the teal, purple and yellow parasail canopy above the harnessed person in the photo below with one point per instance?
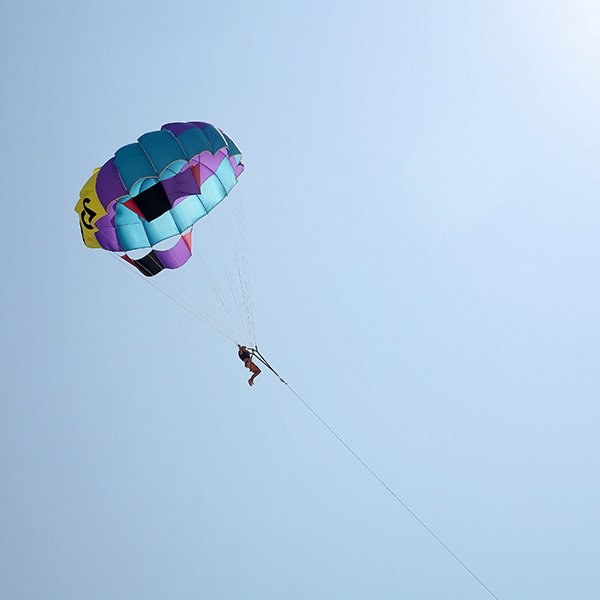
(144, 201)
